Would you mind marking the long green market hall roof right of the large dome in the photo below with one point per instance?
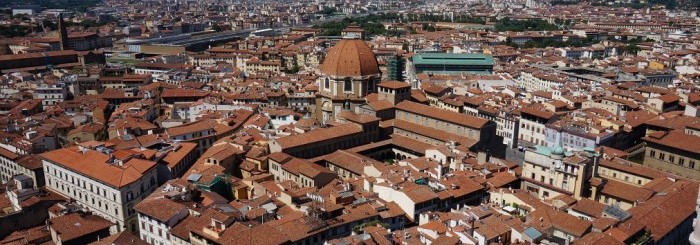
(452, 59)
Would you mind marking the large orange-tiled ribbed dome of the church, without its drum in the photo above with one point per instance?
(350, 58)
